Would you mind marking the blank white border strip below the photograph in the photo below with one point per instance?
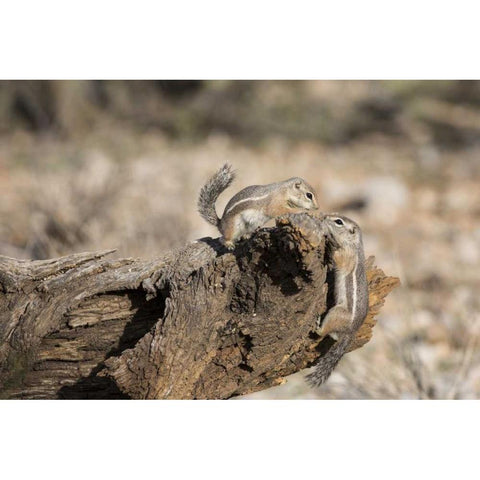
(251, 439)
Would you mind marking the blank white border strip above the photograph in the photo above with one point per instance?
(216, 39)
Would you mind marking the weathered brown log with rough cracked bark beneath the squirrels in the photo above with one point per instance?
(200, 322)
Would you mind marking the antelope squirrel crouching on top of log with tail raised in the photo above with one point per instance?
(253, 206)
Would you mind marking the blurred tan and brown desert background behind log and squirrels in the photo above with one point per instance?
(91, 165)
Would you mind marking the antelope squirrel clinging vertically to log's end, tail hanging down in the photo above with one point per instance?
(344, 239)
